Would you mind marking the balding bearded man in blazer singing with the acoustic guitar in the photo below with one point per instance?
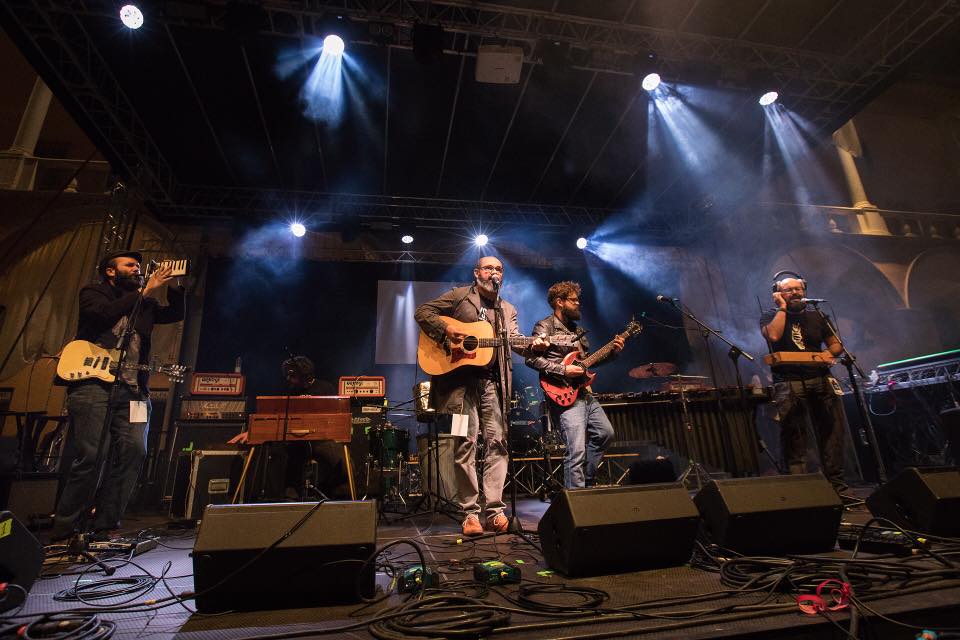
(473, 392)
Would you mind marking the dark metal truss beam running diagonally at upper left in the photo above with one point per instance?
(69, 53)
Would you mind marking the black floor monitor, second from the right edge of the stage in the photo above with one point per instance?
(772, 515)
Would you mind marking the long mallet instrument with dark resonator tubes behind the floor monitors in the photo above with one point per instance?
(724, 433)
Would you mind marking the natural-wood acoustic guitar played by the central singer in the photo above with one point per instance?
(475, 349)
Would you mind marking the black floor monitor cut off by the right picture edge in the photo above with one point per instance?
(926, 500)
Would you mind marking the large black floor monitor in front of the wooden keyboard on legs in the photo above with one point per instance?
(319, 564)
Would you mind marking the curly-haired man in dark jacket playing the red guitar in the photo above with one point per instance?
(584, 426)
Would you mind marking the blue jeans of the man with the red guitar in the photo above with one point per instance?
(587, 432)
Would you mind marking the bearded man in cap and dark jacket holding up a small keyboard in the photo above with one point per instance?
(104, 311)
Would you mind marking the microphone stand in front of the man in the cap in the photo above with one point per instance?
(80, 544)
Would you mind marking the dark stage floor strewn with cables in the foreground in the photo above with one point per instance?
(720, 613)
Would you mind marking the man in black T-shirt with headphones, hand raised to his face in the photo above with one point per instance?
(800, 389)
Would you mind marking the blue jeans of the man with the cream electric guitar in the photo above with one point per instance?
(125, 446)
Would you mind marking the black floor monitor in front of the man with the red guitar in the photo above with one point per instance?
(594, 532)
